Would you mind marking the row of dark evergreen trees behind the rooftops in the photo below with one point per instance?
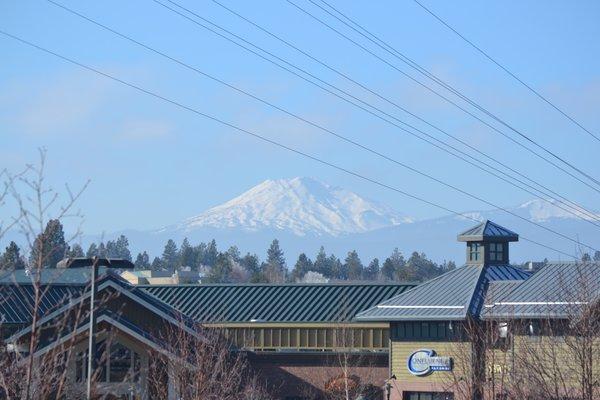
(230, 266)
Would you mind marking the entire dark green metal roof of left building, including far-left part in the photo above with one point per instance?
(223, 303)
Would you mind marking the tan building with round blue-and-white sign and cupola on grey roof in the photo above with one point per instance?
(463, 335)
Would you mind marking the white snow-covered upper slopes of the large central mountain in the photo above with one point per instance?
(301, 206)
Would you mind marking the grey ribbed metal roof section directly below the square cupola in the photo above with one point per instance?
(451, 296)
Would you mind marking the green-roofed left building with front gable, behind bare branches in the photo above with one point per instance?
(293, 333)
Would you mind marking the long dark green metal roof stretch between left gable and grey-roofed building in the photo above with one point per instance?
(274, 302)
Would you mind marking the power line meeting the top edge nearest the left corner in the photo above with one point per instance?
(339, 136)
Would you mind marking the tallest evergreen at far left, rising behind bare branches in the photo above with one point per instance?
(50, 246)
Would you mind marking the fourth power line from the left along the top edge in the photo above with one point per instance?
(575, 209)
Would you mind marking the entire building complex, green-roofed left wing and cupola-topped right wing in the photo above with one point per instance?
(486, 330)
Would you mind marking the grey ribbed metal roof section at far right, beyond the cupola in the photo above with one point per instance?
(558, 290)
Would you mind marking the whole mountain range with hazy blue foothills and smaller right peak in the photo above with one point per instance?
(305, 214)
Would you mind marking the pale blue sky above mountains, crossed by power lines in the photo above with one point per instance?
(152, 164)
